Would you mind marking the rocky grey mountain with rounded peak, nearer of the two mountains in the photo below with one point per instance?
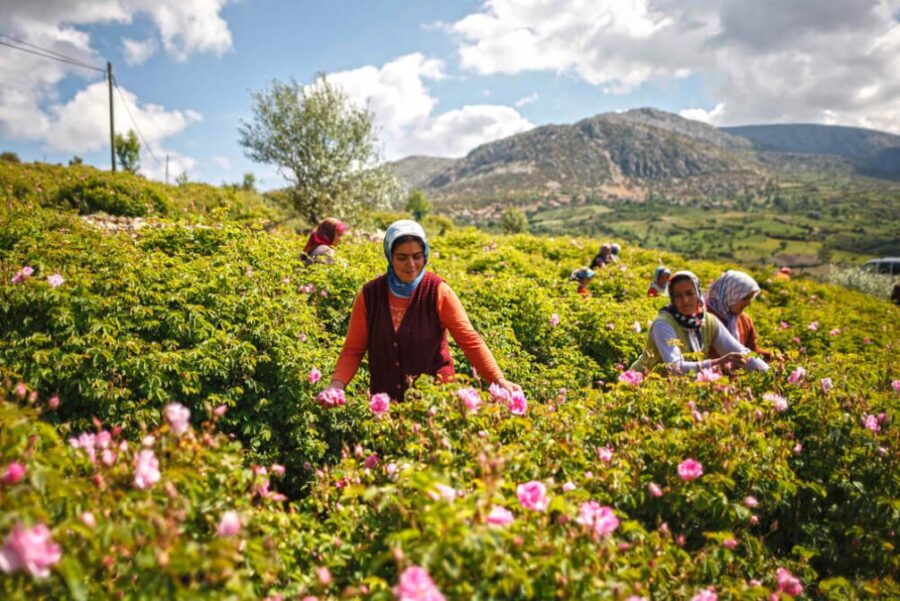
(621, 155)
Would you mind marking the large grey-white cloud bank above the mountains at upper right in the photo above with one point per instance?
(827, 61)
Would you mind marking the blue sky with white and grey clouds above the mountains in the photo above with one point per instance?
(439, 77)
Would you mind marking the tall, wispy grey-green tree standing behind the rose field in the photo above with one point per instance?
(324, 145)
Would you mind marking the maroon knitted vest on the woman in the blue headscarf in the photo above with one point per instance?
(418, 347)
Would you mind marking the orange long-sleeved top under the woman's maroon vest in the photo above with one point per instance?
(452, 316)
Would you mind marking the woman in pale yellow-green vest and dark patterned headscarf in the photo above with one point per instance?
(684, 326)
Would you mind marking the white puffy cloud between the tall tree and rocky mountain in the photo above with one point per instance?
(404, 110)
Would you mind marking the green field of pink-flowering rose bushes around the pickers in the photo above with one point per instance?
(162, 434)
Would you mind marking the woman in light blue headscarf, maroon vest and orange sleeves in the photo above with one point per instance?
(401, 320)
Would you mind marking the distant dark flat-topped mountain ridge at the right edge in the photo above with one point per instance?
(871, 152)
